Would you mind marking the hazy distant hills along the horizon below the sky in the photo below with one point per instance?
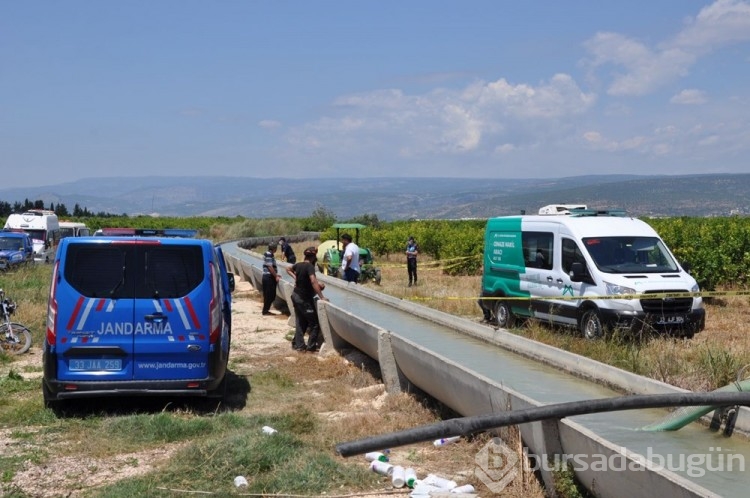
(395, 198)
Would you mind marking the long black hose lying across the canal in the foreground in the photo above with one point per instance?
(468, 425)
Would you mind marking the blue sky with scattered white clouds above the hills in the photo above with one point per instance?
(387, 88)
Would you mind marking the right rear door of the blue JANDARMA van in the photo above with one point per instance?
(172, 321)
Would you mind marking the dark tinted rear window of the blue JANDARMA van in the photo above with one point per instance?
(124, 271)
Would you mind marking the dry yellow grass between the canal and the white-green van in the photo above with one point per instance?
(709, 360)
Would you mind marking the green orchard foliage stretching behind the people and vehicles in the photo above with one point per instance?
(716, 250)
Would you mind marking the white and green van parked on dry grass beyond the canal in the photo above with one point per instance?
(592, 270)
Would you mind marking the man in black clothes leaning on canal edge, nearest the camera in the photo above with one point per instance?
(306, 288)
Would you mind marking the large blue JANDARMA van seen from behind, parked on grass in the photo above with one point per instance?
(137, 316)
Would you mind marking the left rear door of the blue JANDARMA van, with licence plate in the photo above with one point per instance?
(94, 332)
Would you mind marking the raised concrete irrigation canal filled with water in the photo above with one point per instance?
(478, 371)
